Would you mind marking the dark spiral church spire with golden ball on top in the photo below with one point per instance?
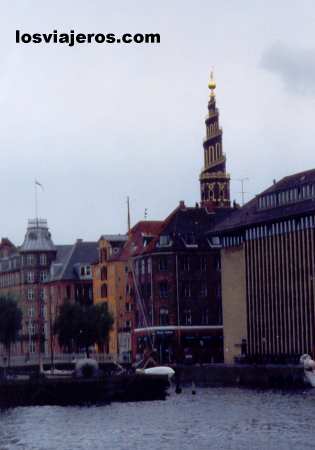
(214, 181)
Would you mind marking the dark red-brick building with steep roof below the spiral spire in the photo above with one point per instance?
(177, 288)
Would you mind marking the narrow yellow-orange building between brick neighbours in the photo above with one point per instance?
(109, 285)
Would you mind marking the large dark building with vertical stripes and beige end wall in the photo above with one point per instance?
(268, 273)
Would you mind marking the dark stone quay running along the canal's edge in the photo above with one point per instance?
(26, 386)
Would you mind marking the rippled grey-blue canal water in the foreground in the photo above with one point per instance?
(218, 418)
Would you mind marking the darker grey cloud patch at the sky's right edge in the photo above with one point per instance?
(295, 67)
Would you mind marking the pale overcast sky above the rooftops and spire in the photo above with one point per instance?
(95, 123)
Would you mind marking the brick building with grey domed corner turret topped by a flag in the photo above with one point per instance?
(41, 275)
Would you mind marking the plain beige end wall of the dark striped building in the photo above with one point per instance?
(233, 301)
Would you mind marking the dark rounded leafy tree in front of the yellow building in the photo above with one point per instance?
(82, 326)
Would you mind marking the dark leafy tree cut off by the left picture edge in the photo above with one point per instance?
(10, 322)
